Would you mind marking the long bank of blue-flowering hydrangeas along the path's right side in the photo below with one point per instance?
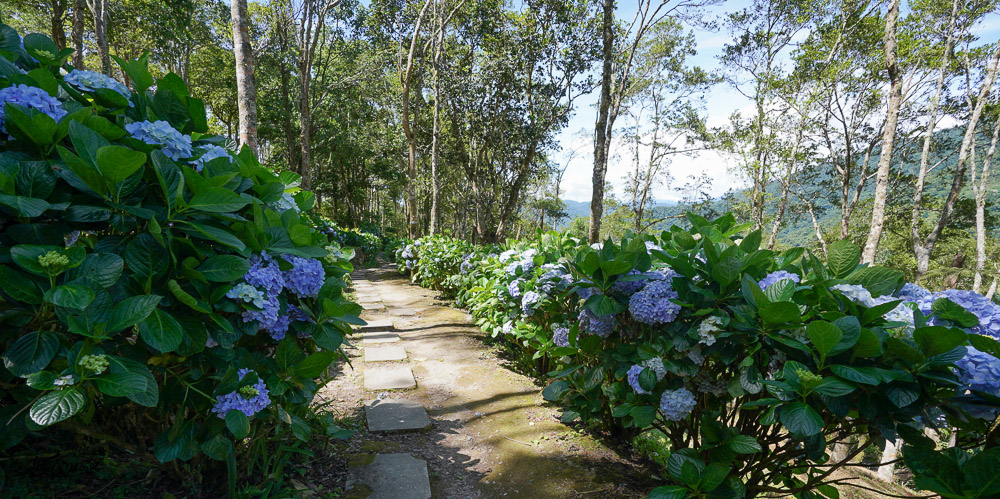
(765, 371)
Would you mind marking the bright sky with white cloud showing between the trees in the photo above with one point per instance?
(721, 101)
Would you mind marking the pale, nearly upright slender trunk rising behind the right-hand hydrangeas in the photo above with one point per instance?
(888, 135)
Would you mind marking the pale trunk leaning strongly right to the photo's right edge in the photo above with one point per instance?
(926, 248)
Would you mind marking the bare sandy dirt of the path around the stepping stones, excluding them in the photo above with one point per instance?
(492, 434)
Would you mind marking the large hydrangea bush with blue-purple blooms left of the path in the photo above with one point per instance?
(154, 286)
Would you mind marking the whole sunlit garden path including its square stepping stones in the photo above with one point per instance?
(446, 418)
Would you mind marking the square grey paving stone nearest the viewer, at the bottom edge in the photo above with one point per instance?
(392, 476)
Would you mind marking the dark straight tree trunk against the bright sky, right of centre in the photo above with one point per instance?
(602, 133)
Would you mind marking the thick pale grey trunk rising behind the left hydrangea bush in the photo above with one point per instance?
(246, 85)
